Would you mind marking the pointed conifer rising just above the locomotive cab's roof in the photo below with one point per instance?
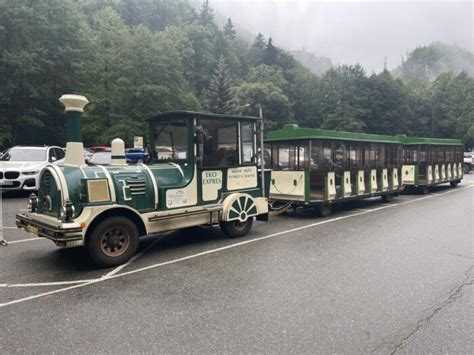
(219, 95)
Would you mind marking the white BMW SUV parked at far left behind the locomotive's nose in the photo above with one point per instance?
(20, 166)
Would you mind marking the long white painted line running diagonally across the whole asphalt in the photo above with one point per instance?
(216, 250)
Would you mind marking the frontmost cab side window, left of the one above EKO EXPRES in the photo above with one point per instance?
(171, 140)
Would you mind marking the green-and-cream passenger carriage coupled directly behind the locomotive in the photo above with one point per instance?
(314, 167)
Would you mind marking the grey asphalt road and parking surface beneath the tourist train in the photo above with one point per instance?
(372, 277)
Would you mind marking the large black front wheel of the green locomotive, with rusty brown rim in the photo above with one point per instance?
(113, 241)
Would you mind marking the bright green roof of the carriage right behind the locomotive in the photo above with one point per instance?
(292, 132)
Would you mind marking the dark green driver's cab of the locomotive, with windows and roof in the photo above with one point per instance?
(200, 158)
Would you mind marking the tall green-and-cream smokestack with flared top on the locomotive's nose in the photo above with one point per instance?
(74, 106)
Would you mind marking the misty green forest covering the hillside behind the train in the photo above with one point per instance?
(135, 58)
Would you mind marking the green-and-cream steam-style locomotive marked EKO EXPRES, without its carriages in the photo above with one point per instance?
(204, 171)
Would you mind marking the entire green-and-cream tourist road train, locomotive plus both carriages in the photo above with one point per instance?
(211, 169)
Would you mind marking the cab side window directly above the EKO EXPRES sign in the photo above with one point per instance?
(217, 143)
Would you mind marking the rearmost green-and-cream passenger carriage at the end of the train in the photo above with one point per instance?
(431, 161)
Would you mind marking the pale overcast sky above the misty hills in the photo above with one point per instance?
(354, 31)
